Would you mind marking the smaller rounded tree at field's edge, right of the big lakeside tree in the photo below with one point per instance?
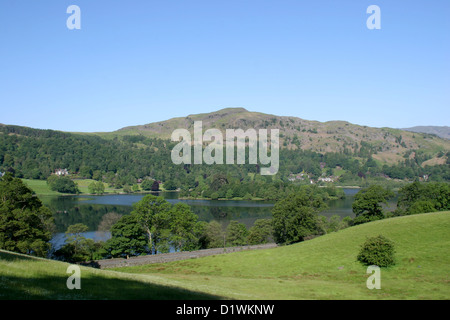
(368, 203)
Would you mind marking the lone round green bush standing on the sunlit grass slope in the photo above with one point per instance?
(377, 251)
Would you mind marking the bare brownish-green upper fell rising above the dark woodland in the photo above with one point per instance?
(388, 145)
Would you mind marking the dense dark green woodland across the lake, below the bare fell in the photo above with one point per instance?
(35, 154)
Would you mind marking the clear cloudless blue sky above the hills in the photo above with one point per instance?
(135, 62)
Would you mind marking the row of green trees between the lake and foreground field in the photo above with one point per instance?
(156, 226)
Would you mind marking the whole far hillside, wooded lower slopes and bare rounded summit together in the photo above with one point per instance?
(124, 157)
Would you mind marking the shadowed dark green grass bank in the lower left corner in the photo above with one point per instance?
(24, 277)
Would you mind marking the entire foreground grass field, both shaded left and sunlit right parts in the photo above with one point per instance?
(321, 268)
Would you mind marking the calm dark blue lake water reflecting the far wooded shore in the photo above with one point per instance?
(89, 210)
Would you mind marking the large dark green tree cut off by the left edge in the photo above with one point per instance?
(25, 223)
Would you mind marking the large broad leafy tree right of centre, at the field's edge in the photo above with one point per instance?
(295, 217)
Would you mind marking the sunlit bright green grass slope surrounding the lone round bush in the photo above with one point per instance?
(326, 267)
